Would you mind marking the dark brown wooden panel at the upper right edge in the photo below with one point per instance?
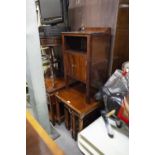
(121, 43)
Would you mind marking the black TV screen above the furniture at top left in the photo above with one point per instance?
(51, 11)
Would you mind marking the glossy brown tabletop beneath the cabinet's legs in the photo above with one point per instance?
(75, 98)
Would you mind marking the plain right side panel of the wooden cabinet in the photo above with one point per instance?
(100, 60)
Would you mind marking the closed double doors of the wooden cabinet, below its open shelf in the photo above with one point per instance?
(75, 64)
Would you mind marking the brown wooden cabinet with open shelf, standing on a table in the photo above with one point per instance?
(86, 56)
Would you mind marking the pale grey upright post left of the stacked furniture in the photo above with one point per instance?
(34, 70)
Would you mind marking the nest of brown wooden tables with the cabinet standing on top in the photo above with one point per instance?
(78, 112)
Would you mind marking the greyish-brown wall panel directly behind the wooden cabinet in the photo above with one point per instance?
(94, 13)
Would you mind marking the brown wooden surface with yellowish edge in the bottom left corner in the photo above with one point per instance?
(37, 140)
